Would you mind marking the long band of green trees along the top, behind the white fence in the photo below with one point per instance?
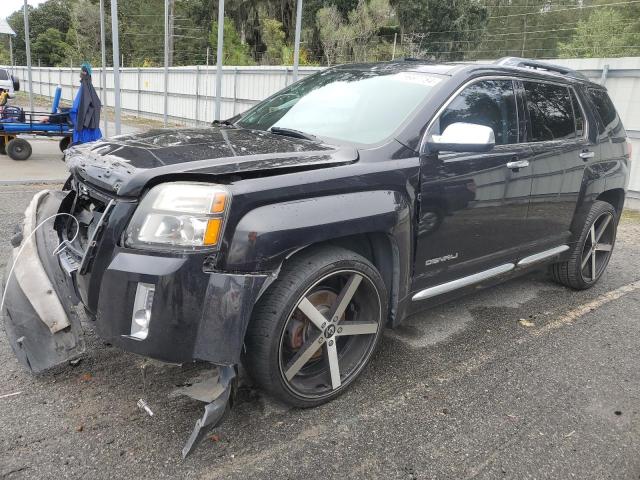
(65, 32)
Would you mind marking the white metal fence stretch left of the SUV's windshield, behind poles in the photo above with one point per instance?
(191, 90)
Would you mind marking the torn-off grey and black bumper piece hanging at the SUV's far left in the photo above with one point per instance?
(42, 326)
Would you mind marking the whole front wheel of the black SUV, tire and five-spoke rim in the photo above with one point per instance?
(315, 329)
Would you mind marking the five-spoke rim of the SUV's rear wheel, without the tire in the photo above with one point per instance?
(597, 247)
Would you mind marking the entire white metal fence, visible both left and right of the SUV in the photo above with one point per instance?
(192, 92)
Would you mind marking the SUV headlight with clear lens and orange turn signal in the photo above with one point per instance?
(179, 215)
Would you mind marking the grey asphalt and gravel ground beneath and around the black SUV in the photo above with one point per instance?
(465, 390)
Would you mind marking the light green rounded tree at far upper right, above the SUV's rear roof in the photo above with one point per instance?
(604, 34)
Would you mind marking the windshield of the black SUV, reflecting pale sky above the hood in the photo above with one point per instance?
(350, 105)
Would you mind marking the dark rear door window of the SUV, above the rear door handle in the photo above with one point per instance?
(550, 112)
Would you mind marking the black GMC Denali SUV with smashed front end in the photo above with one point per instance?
(290, 236)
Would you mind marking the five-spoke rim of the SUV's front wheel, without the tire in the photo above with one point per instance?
(330, 334)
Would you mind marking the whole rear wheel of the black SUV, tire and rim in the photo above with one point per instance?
(591, 253)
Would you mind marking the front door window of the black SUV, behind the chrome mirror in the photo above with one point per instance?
(489, 102)
